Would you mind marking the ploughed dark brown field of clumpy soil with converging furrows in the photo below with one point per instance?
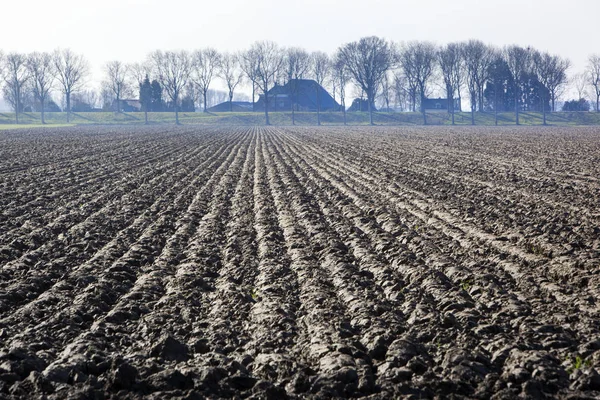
(300, 263)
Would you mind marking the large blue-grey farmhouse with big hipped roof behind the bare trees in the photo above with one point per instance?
(306, 94)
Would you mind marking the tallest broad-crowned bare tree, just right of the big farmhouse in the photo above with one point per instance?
(367, 61)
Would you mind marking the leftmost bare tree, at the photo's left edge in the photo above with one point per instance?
(16, 75)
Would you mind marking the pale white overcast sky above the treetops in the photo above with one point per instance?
(128, 30)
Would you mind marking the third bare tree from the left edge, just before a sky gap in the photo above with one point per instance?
(71, 70)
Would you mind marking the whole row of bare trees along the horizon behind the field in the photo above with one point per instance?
(494, 79)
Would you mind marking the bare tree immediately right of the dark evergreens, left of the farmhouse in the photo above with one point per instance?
(173, 70)
